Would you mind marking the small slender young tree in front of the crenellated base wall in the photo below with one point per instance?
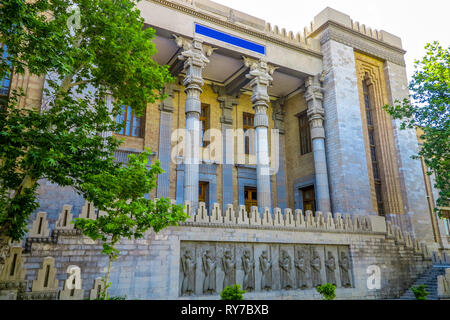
(128, 213)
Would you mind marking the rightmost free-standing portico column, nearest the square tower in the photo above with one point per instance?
(314, 98)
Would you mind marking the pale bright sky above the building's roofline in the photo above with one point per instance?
(416, 22)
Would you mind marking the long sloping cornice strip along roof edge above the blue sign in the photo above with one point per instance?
(254, 33)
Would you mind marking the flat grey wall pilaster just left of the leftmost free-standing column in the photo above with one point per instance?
(165, 131)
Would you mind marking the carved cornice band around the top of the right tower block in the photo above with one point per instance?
(331, 30)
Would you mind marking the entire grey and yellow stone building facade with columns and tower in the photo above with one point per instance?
(342, 201)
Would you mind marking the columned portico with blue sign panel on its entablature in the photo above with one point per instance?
(254, 67)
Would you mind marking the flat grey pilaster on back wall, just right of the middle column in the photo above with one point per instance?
(278, 118)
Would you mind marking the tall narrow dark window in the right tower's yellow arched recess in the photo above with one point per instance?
(373, 149)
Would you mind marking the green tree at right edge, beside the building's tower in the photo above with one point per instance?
(429, 110)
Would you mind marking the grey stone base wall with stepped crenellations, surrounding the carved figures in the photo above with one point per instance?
(150, 268)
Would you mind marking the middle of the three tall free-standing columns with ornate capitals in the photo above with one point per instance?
(261, 77)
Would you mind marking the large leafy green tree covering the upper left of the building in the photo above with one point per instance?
(88, 50)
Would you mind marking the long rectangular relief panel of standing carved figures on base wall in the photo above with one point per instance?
(261, 266)
